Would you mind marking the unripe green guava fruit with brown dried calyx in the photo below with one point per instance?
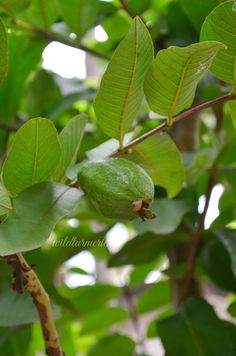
(118, 188)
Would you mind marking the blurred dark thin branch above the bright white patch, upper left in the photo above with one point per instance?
(55, 37)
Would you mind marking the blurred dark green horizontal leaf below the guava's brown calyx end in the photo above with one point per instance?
(146, 248)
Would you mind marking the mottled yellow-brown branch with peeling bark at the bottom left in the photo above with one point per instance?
(26, 278)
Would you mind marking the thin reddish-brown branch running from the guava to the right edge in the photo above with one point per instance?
(177, 118)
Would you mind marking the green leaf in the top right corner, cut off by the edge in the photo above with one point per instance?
(220, 26)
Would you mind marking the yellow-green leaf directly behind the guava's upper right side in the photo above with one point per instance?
(159, 156)
